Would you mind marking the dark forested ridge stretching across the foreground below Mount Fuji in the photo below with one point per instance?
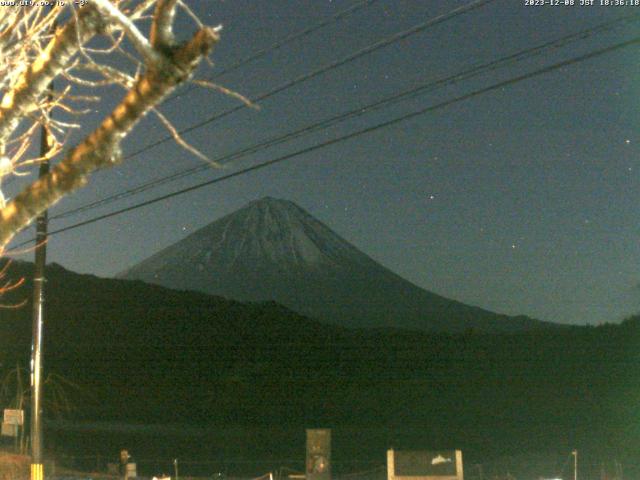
(144, 353)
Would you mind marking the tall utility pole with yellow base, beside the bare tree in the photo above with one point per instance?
(37, 468)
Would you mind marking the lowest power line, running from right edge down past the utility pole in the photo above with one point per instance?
(388, 123)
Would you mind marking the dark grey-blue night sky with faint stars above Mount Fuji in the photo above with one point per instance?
(522, 200)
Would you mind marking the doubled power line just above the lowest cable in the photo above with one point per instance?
(362, 110)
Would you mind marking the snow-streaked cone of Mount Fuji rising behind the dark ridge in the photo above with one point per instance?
(272, 249)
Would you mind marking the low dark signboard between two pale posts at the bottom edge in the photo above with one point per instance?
(424, 465)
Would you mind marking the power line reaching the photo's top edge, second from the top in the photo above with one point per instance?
(308, 76)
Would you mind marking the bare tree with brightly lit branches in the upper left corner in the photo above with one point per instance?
(39, 44)
